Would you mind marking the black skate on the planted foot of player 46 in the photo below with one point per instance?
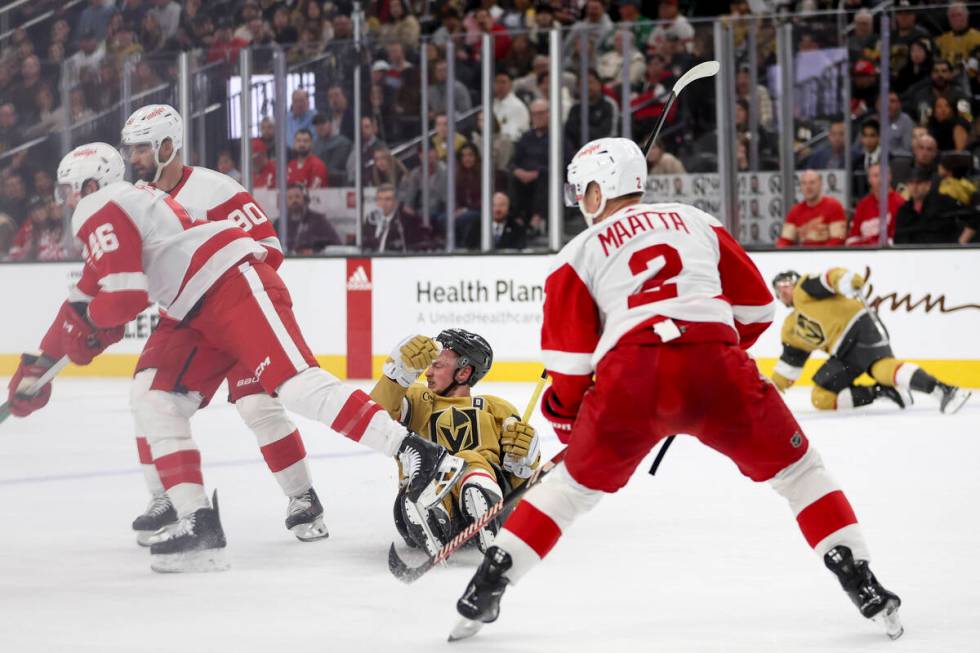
(195, 543)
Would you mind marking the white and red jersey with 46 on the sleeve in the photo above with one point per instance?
(141, 246)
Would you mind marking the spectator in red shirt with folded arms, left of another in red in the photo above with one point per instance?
(817, 220)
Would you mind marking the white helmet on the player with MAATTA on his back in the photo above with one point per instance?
(617, 165)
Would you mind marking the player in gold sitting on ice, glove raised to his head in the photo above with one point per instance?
(500, 451)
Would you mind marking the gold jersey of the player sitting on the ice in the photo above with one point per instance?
(469, 427)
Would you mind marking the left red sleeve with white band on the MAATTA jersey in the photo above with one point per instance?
(569, 334)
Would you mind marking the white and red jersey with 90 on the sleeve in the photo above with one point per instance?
(210, 195)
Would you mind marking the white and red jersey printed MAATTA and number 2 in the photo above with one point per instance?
(655, 266)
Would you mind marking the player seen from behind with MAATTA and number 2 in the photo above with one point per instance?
(647, 317)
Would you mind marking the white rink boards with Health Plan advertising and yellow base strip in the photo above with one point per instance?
(928, 299)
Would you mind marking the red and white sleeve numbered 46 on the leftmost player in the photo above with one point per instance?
(113, 281)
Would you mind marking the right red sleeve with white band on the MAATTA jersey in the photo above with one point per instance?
(753, 304)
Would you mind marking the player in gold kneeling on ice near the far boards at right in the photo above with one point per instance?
(828, 315)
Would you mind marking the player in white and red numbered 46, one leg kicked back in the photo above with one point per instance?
(141, 246)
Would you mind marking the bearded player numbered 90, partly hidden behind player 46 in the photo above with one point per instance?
(152, 140)
